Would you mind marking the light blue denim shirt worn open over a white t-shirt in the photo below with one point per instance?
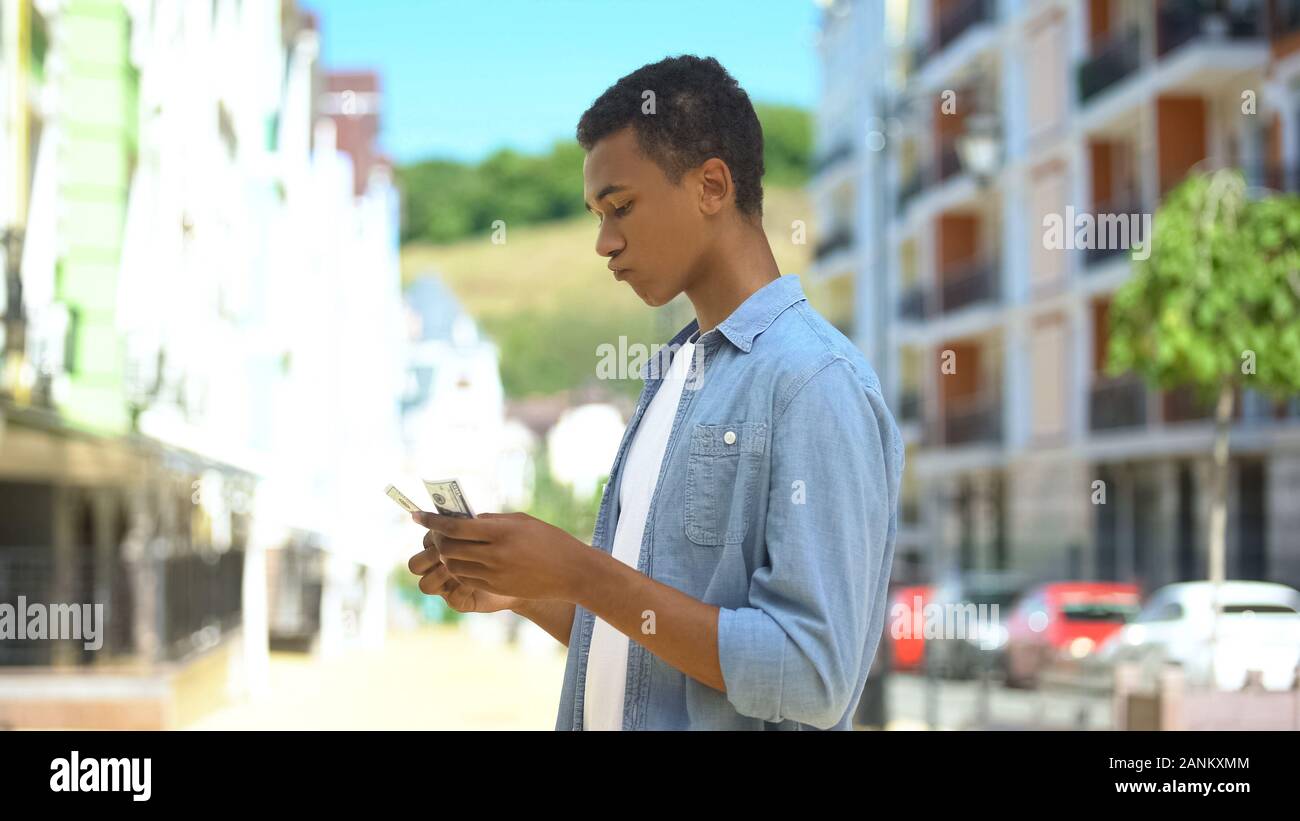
(777, 502)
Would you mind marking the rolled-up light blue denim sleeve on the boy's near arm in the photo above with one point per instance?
(796, 653)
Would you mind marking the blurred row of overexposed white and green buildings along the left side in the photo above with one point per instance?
(203, 359)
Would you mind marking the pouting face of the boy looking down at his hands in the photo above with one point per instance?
(652, 231)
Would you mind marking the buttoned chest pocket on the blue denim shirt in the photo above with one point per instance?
(722, 475)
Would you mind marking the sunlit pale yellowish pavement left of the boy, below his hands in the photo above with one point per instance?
(434, 679)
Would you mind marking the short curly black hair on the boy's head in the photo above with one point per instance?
(700, 112)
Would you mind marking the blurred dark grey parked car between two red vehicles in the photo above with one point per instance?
(965, 651)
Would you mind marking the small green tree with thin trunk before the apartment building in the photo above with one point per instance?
(1216, 309)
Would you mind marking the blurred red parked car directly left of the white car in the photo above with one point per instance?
(1064, 622)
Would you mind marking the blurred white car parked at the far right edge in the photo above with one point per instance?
(1259, 629)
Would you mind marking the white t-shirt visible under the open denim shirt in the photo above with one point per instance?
(608, 657)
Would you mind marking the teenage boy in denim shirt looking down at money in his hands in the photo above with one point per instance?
(742, 555)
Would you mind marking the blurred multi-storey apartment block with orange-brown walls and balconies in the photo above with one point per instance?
(1009, 112)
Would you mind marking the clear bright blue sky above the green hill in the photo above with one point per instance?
(466, 77)
